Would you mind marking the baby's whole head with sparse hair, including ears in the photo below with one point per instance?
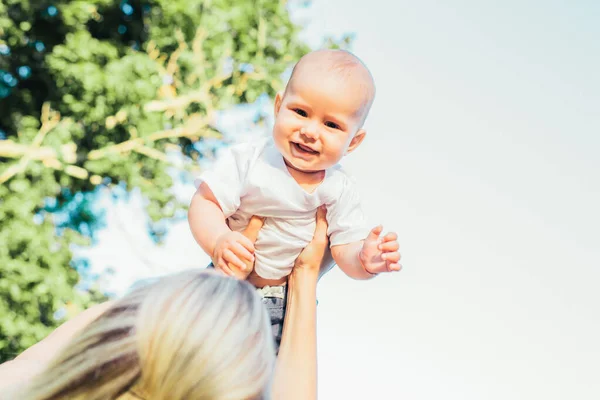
(319, 117)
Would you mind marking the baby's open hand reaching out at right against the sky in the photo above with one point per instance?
(380, 254)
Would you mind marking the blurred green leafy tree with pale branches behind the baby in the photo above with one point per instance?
(98, 93)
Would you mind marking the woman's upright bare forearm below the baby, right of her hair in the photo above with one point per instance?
(296, 369)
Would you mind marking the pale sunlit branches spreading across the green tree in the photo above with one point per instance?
(195, 126)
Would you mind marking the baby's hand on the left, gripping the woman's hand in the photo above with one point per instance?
(235, 250)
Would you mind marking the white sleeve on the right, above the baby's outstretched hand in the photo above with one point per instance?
(345, 217)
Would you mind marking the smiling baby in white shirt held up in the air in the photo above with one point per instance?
(284, 179)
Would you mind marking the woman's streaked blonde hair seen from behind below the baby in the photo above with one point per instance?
(192, 335)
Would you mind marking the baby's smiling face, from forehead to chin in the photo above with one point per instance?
(317, 119)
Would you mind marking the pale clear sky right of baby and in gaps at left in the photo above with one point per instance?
(482, 153)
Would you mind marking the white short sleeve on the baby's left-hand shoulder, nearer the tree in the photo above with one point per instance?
(226, 178)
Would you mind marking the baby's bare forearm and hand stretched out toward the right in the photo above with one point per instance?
(366, 258)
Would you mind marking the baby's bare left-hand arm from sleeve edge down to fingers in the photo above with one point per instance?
(227, 249)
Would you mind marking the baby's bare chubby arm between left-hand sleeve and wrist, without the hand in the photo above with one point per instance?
(207, 222)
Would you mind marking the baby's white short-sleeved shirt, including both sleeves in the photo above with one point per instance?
(252, 179)
